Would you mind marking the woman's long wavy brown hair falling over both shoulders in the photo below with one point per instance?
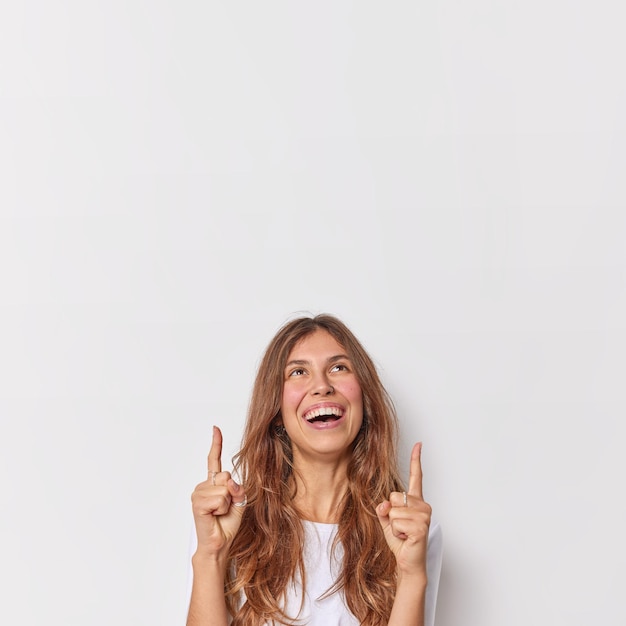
(266, 554)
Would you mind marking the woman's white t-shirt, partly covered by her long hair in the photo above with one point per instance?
(322, 571)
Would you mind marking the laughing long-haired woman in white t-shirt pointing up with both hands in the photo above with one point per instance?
(321, 529)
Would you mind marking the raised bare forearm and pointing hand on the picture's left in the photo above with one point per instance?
(218, 505)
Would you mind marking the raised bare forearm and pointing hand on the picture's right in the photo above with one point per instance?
(405, 519)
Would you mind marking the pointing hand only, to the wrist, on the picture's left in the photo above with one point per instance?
(217, 506)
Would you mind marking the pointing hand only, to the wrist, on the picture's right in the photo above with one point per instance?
(405, 520)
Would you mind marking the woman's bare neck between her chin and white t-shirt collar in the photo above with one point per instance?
(320, 487)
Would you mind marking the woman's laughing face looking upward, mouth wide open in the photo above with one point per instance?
(322, 401)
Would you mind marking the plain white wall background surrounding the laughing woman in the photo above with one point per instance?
(178, 179)
